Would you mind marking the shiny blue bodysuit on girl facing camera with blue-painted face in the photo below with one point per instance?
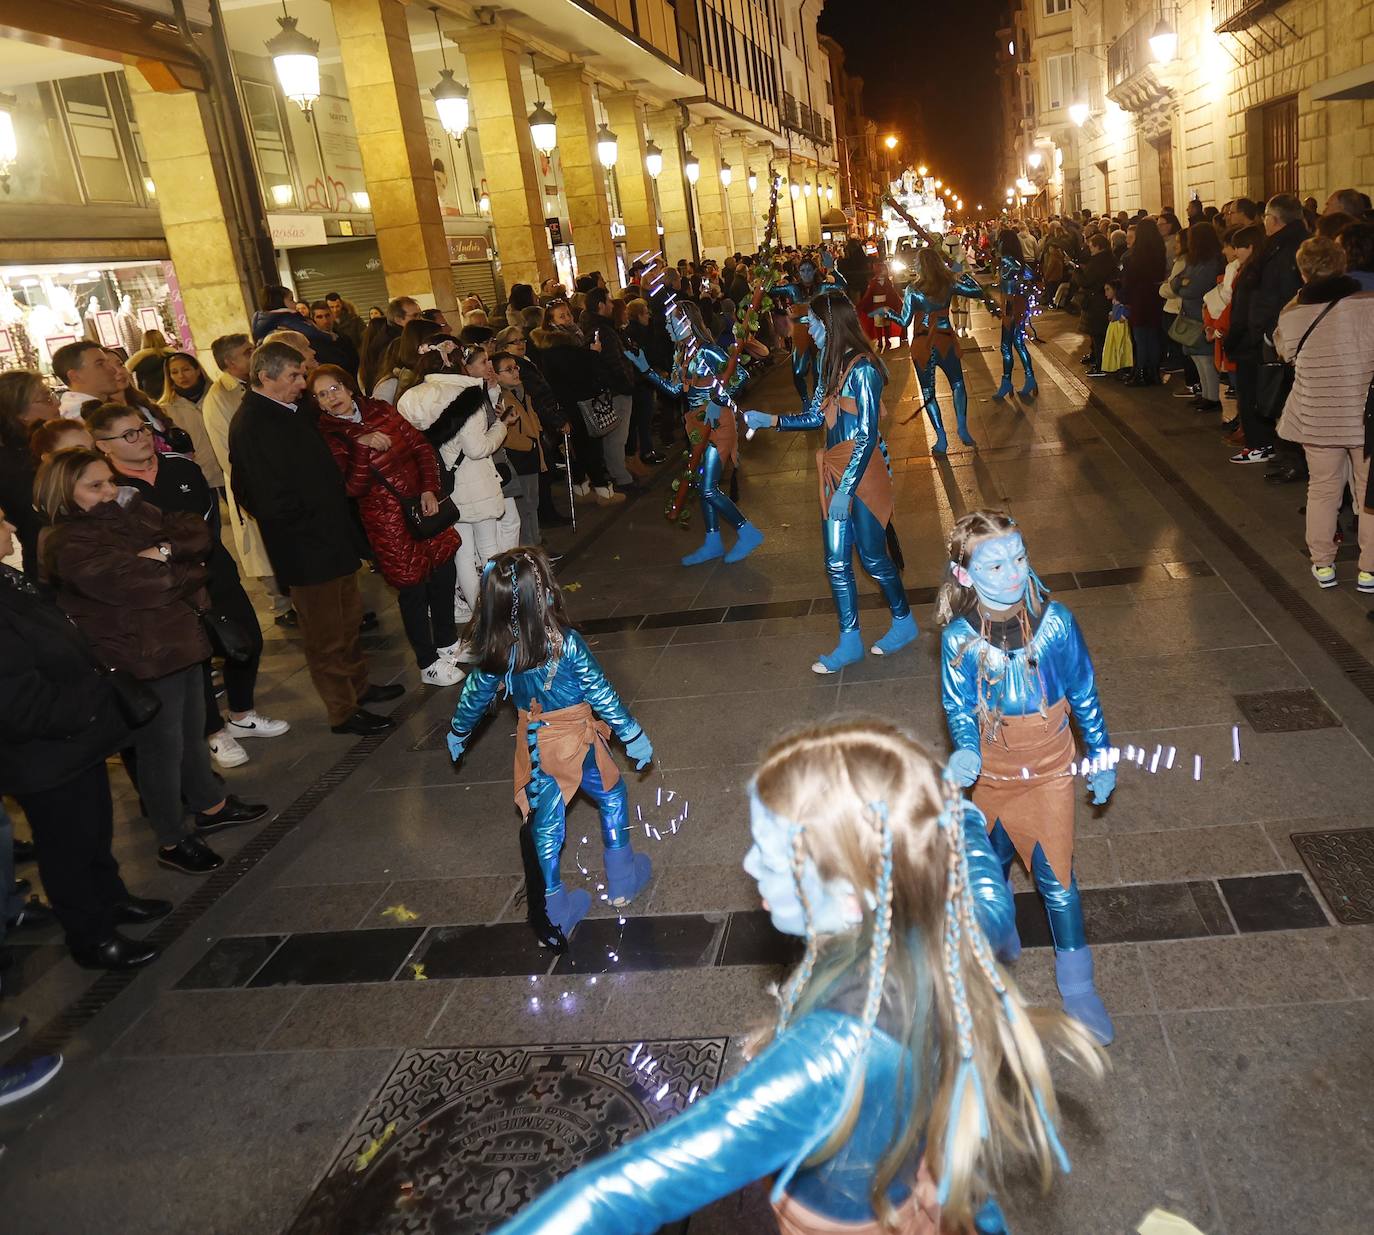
(982, 682)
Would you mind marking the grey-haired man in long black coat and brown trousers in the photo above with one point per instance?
(286, 479)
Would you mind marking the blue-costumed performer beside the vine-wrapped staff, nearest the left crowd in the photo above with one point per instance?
(699, 365)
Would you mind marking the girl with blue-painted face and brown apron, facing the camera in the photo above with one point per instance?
(1015, 670)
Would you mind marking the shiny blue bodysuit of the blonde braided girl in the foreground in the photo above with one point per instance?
(772, 1118)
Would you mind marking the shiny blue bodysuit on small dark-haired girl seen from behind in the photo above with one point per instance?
(574, 678)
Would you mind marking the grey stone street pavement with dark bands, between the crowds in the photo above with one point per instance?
(352, 1031)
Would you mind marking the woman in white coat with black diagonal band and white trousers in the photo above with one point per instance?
(450, 409)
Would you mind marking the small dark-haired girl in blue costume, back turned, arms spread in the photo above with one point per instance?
(568, 711)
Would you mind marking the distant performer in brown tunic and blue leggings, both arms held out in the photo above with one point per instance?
(935, 344)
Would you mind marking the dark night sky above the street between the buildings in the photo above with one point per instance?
(939, 56)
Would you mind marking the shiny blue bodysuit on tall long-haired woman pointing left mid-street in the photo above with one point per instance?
(861, 528)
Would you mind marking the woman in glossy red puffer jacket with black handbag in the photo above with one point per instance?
(376, 447)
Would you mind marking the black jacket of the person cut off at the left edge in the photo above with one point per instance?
(58, 714)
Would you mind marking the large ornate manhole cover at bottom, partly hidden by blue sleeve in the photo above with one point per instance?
(461, 1140)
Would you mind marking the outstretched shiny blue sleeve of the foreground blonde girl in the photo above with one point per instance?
(750, 1129)
